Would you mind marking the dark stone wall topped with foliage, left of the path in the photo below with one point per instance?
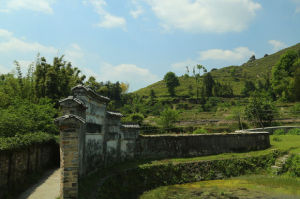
(17, 165)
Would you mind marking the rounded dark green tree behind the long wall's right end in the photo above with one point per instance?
(260, 110)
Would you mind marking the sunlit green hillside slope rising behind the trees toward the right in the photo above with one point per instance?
(233, 75)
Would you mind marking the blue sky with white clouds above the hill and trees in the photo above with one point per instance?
(139, 41)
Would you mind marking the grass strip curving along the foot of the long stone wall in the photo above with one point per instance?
(284, 143)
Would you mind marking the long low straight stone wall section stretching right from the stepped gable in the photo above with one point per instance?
(158, 146)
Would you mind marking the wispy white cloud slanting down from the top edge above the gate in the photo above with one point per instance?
(107, 19)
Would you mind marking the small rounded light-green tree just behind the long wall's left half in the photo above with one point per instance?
(168, 118)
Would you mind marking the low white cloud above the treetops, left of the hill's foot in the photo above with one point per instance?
(137, 77)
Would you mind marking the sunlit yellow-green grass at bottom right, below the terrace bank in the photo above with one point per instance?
(250, 187)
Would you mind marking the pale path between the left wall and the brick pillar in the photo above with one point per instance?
(46, 188)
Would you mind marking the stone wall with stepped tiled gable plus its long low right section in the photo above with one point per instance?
(101, 140)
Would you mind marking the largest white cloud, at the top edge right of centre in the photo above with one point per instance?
(205, 15)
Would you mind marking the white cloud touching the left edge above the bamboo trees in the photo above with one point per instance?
(9, 43)
